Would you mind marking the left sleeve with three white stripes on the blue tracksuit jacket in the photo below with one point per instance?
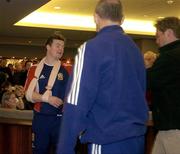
(83, 85)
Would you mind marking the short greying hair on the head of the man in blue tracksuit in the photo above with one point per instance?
(109, 9)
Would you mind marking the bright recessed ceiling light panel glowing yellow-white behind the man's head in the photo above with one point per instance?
(81, 22)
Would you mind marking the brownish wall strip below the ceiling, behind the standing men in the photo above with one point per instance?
(30, 51)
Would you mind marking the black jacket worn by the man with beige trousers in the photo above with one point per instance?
(164, 83)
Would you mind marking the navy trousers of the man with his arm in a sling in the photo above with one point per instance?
(46, 133)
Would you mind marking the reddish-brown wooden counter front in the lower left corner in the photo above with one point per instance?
(15, 139)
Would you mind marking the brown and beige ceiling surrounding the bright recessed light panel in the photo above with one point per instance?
(11, 11)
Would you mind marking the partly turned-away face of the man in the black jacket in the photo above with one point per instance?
(161, 38)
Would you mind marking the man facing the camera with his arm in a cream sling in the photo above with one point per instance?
(45, 86)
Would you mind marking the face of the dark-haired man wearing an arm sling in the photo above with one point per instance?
(56, 49)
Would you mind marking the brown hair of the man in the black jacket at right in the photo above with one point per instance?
(169, 23)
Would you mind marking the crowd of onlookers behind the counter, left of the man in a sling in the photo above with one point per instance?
(12, 81)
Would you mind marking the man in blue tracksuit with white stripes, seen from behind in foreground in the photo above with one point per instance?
(105, 105)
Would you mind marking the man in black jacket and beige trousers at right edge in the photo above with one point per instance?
(164, 83)
